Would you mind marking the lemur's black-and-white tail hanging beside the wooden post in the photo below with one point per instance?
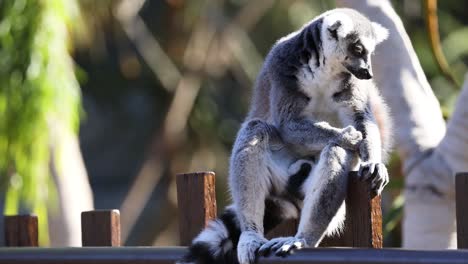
(217, 243)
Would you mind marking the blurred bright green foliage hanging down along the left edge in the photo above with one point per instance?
(38, 89)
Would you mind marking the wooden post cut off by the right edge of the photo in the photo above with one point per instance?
(461, 189)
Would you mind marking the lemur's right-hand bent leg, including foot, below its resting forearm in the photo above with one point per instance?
(324, 193)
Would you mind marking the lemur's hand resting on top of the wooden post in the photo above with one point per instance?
(376, 173)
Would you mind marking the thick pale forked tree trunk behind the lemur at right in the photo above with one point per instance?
(429, 221)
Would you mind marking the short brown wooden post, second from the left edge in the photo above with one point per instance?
(100, 228)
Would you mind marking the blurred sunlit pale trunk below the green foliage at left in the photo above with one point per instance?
(74, 193)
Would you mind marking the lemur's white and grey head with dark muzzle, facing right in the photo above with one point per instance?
(349, 39)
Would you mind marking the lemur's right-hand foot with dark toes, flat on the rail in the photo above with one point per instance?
(282, 246)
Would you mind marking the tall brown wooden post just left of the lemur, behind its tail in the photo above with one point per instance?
(197, 203)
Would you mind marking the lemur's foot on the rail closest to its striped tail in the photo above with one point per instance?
(249, 243)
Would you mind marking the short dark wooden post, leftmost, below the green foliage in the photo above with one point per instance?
(21, 231)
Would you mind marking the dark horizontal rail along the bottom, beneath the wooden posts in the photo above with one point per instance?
(151, 255)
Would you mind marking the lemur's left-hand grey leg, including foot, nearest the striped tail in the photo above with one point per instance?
(251, 180)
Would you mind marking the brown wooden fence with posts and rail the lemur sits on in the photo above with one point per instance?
(197, 205)
